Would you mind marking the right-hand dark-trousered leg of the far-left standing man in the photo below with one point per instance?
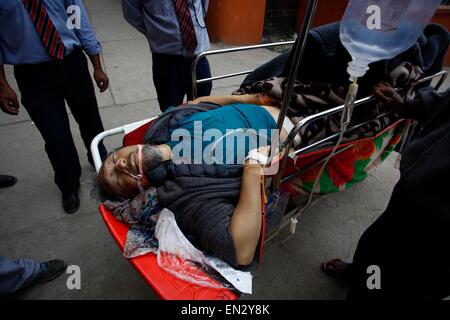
(80, 95)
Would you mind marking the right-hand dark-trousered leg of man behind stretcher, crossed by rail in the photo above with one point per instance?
(203, 72)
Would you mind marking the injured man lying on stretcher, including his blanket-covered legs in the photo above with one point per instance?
(213, 186)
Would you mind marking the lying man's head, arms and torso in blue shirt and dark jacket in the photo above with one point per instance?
(198, 157)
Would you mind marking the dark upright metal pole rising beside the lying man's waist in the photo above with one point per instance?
(298, 55)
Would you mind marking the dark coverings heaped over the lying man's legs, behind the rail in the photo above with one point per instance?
(323, 80)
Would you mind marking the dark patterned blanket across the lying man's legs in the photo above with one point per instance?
(310, 97)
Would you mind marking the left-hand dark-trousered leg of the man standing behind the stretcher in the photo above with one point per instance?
(168, 79)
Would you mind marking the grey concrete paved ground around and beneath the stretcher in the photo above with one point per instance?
(35, 226)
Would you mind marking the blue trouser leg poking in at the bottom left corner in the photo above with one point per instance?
(16, 275)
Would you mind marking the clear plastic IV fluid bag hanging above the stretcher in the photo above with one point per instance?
(373, 30)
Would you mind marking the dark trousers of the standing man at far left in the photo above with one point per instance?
(45, 87)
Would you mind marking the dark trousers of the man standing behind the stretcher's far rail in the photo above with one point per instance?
(173, 79)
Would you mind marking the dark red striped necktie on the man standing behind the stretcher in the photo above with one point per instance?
(186, 26)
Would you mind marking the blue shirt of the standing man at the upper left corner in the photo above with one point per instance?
(21, 44)
